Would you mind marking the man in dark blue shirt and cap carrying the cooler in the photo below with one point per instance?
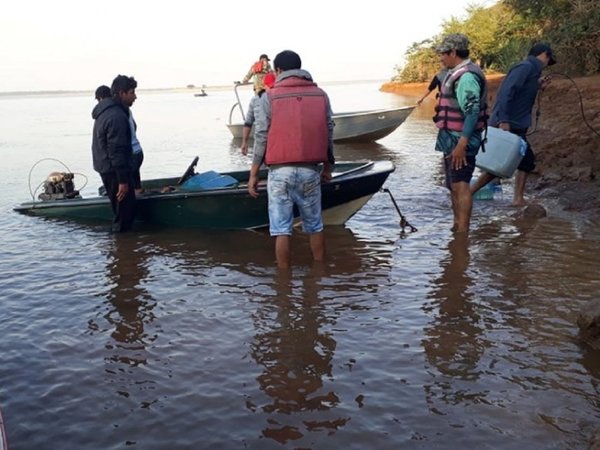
(512, 110)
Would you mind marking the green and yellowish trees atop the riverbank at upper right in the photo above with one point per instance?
(502, 34)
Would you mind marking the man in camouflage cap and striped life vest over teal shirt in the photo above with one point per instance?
(461, 115)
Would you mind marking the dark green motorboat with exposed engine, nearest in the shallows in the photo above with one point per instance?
(210, 200)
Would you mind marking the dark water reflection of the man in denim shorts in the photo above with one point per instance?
(295, 355)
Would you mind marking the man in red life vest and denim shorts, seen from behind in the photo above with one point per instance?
(293, 136)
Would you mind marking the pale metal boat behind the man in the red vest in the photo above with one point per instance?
(368, 125)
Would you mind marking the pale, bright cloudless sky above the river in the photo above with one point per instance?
(79, 44)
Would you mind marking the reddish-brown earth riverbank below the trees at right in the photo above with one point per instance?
(565, 142)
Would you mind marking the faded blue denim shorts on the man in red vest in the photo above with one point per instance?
(294, 185)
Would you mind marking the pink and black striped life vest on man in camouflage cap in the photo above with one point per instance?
(448, 115)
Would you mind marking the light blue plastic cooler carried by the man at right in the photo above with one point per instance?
(503, 153)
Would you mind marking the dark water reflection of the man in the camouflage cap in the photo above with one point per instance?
(452, 342)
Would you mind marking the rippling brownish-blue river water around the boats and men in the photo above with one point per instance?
(177, 339)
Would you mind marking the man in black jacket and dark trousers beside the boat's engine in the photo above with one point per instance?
(112, 152)
